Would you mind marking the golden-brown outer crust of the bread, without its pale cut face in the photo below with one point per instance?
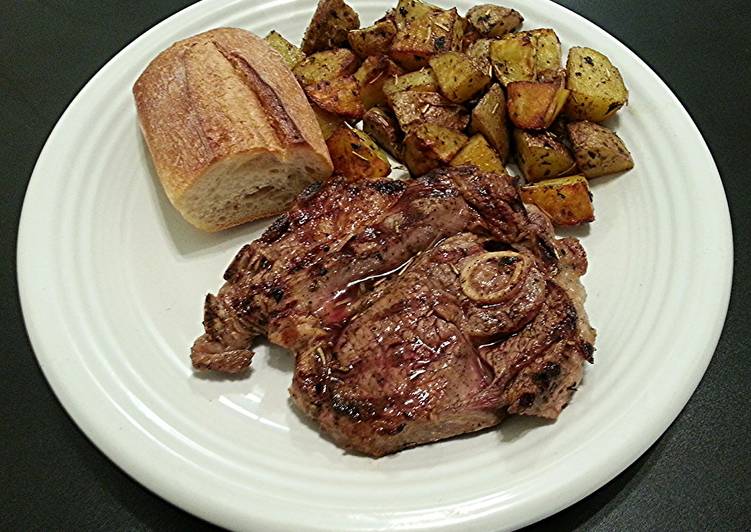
(217, 95)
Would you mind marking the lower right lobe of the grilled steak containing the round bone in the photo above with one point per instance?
(460, 338)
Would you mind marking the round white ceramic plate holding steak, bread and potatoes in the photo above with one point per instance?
(112, 283)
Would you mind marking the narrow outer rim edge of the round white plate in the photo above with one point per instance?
(88, 425)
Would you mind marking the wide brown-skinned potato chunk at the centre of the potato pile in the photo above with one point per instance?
(413, 108)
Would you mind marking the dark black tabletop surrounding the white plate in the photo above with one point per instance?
(695, 477)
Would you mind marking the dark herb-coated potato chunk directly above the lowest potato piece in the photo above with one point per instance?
(541, 155)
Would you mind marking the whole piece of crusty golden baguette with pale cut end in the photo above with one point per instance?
(231, 134)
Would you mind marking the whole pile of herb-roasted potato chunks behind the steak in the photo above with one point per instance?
(433, 88)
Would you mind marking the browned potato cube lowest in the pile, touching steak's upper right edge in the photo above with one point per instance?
(566, 200)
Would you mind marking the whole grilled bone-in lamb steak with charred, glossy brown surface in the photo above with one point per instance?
(417, 311)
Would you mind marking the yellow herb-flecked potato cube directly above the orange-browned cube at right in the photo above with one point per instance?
(513, 58)
